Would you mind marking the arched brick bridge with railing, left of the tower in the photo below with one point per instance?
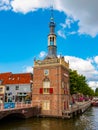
(18, 109)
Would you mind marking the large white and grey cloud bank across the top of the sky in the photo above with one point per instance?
(83, 11)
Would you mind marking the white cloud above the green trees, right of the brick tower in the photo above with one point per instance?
(85, 67)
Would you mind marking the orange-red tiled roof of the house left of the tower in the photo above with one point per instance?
(21, 78)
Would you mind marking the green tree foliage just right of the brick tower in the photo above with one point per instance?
(78, 84)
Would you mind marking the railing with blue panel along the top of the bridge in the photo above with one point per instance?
(14, 105)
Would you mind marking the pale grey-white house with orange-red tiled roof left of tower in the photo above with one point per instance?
(18, 87)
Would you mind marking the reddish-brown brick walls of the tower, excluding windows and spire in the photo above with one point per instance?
(56, 76)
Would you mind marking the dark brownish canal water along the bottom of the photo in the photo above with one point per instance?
(86, 121)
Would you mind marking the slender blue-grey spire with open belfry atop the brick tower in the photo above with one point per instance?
(52, 48)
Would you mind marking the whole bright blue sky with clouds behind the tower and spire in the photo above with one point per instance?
(24, 27)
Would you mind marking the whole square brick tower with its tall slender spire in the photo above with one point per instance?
(51, 80)
